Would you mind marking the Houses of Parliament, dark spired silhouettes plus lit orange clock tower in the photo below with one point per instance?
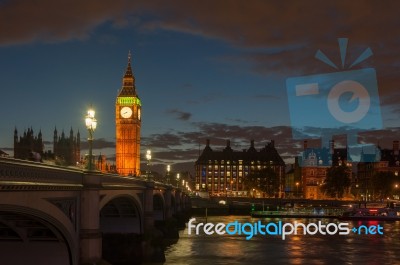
(67, 149)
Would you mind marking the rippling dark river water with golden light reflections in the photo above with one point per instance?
(300, 249)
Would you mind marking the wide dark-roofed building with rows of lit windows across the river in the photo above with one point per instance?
(221, 173)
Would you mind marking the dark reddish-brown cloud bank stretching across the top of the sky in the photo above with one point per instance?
(274, 36)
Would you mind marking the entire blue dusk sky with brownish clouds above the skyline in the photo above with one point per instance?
(204, 69)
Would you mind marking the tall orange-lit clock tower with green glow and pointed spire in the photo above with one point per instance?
(127, 121)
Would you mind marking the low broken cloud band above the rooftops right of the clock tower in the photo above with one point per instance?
(179, 146)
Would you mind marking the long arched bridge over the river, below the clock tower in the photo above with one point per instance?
(63, 215)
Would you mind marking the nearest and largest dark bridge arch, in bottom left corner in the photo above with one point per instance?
(41, 237)
